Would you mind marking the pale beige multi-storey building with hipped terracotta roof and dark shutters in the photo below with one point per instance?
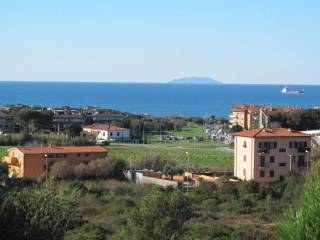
(267, 155)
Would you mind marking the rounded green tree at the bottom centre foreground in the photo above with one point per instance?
(160, 215)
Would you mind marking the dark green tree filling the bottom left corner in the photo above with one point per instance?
(41, 214)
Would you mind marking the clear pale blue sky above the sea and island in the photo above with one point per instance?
(156, 41)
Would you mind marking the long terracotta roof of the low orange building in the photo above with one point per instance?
(65, 149)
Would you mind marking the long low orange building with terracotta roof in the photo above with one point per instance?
(32, 161)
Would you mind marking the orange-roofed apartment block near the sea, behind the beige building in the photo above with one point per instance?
(248, 116)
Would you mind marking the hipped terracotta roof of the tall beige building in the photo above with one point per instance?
(270, 132)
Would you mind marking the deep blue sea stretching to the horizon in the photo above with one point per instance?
(156, 99)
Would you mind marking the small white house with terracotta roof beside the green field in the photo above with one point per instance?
(107, 132)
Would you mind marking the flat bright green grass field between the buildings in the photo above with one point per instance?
(201, 154)
